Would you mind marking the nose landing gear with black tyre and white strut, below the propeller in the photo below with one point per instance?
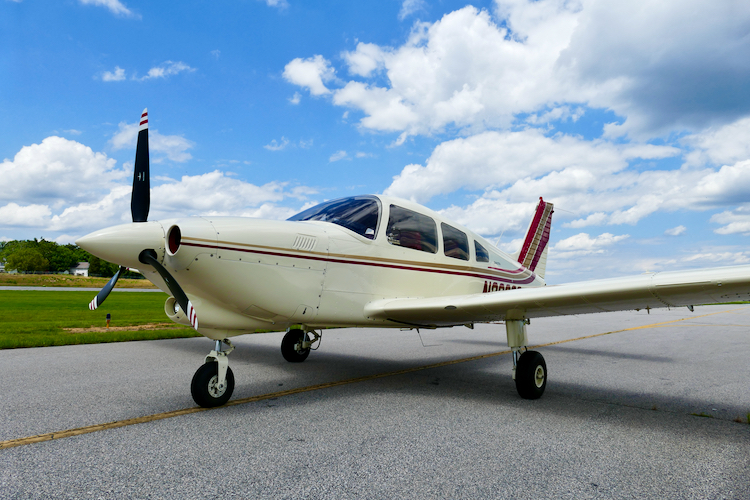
(213, 383)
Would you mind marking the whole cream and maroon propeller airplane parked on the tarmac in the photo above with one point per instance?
(364, 261)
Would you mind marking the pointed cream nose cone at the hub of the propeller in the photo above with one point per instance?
(123, 244)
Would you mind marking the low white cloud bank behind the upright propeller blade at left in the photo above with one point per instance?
(64, 187)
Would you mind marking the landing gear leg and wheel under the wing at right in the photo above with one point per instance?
(529, 368)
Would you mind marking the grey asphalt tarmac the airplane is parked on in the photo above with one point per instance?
(658, 408)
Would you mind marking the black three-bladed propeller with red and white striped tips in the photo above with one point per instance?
(140, 202)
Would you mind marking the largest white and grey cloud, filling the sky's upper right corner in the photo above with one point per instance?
(663, 66)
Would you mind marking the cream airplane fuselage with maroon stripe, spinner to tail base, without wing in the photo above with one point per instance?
(244, 275)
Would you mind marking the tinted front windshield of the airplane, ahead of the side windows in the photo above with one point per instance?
(360, 214)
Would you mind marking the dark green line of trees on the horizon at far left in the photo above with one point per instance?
(40, 255)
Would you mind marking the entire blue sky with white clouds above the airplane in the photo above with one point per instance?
(632, 117)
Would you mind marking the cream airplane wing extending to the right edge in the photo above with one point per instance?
(653, 290)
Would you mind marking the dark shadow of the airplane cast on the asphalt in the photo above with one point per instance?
(484, 381)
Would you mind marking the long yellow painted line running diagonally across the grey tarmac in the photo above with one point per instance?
(11, 443)
